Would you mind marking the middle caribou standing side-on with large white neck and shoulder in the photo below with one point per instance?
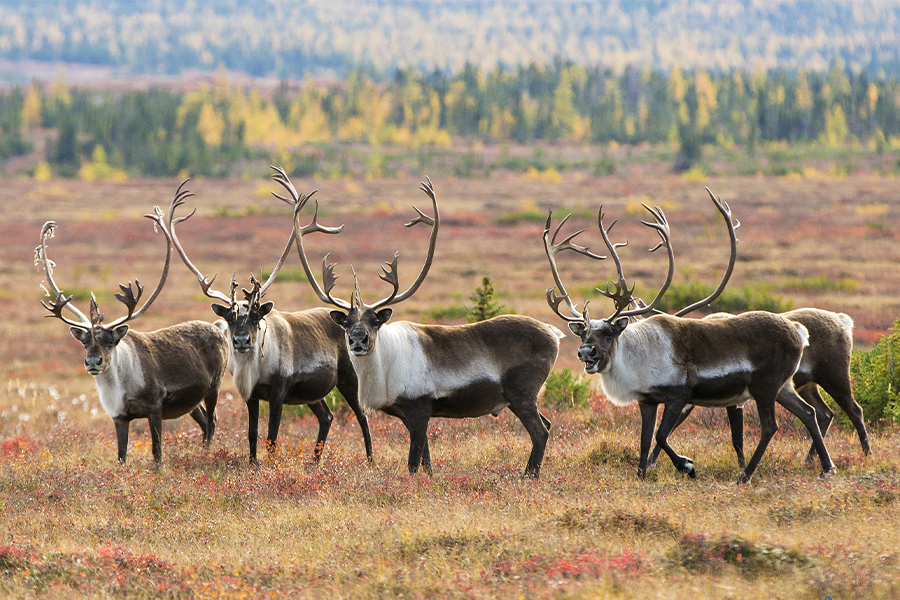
(416, 372)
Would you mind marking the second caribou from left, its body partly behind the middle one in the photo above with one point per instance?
(280, 357)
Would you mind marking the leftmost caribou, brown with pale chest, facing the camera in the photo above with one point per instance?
(157, 375)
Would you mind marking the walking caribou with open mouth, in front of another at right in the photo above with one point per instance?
(674, 361)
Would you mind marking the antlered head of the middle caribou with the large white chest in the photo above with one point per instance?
(361, 321)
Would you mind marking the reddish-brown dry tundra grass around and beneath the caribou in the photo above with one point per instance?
(74, 523)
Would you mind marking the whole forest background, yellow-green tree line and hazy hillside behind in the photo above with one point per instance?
(225, 88)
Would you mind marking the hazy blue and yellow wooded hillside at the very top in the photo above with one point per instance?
(290, 39)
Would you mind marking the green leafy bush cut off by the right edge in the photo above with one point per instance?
(876, 376)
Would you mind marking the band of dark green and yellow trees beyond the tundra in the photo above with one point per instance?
(161, 131)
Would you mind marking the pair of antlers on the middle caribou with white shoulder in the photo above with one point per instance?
(388, 270)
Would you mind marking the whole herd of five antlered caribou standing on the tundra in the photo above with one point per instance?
(415, 372)
